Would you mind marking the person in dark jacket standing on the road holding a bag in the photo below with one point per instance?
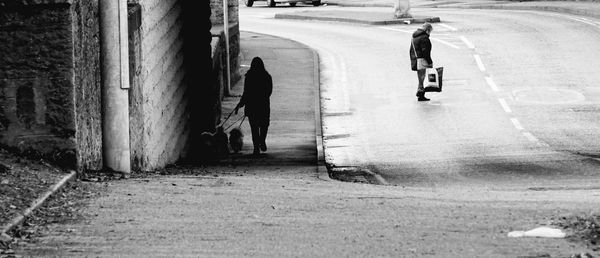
(420, 56)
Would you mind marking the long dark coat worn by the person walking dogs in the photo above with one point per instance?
(258, 87)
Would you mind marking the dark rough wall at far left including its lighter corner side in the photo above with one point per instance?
(49, 81)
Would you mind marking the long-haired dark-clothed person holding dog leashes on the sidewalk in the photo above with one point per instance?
(258, 87)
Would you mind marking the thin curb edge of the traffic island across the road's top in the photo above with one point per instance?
(350, 20)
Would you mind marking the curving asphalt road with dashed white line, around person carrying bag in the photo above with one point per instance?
(520, 104)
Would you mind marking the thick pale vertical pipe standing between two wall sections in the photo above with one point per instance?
(115, 85)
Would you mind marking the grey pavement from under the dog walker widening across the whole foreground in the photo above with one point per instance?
(279, 206)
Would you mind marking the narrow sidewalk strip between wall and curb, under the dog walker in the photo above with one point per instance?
(294, 104)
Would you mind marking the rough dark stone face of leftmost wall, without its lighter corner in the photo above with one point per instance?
(36, 81)
